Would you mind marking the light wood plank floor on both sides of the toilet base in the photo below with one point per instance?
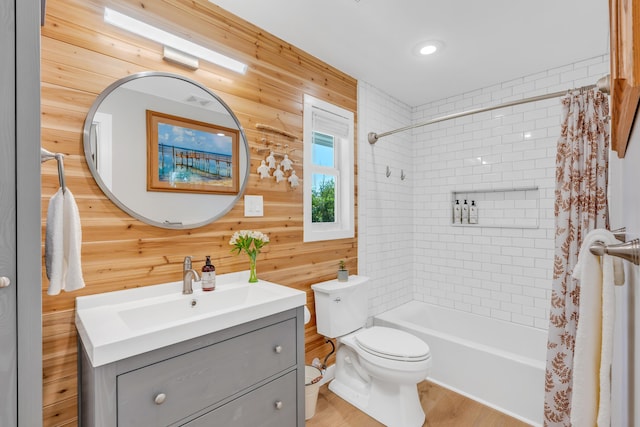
(442, 407)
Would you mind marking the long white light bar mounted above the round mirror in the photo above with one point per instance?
(152, 33)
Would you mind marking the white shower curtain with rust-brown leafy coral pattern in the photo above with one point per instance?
(580, 206)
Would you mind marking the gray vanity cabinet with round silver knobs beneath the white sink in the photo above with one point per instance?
(249, 375)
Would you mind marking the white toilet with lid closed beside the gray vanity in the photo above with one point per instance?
(377, 368)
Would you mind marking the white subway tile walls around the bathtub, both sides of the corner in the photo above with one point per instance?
(407, 243)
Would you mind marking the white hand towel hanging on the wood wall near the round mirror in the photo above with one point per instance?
(63, 243)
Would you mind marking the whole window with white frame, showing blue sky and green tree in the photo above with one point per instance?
(328, 165)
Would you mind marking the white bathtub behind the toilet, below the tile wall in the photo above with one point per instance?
(498, 363)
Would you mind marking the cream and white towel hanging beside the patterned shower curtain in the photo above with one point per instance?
(591, 397)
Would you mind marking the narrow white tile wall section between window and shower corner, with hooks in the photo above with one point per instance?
(385, 204)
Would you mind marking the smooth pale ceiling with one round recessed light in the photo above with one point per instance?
(486, 42)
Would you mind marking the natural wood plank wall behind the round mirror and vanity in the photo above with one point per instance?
(81, 56)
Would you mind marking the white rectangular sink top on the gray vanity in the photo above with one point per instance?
(121, 324)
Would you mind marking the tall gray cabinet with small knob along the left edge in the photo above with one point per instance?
(20, 236)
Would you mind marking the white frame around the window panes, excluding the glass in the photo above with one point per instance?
(321, 116)
